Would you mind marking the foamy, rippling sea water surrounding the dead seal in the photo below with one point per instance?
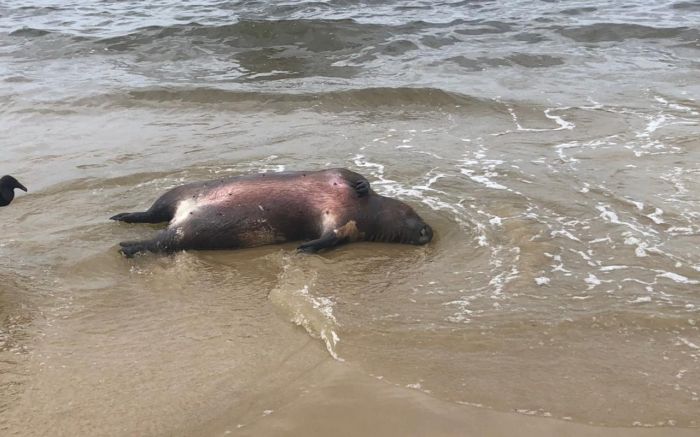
(552, 147)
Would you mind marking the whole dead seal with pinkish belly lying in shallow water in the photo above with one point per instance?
(323, 208)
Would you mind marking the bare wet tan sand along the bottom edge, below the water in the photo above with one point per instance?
(346, 402)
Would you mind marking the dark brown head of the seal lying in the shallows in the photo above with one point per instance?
(395, 222)
